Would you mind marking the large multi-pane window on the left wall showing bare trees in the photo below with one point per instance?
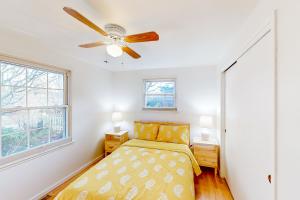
(34, 108)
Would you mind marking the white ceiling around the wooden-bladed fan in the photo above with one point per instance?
(192, 32)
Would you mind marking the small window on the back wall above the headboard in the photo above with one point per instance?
(160, 94)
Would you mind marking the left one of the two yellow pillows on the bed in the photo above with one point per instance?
(145, 131)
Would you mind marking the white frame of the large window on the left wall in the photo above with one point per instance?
(31, 153)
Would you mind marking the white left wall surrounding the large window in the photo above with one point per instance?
(91, 92)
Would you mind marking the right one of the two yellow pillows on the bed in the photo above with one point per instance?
(175, 134)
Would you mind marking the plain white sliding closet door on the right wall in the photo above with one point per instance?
(250, 122)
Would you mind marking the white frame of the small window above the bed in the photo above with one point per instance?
(160, 80)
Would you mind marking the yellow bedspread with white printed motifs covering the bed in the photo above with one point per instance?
(139, 169)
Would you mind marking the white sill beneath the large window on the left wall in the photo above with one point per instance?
(20, 158)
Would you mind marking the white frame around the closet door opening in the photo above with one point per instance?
(268, 28)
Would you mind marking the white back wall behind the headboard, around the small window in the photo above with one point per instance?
(196, 95)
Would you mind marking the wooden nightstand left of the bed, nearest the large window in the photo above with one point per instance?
(114, 140)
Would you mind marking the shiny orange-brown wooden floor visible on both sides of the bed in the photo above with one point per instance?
(207, 186)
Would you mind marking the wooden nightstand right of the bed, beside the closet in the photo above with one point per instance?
(206, 153)
